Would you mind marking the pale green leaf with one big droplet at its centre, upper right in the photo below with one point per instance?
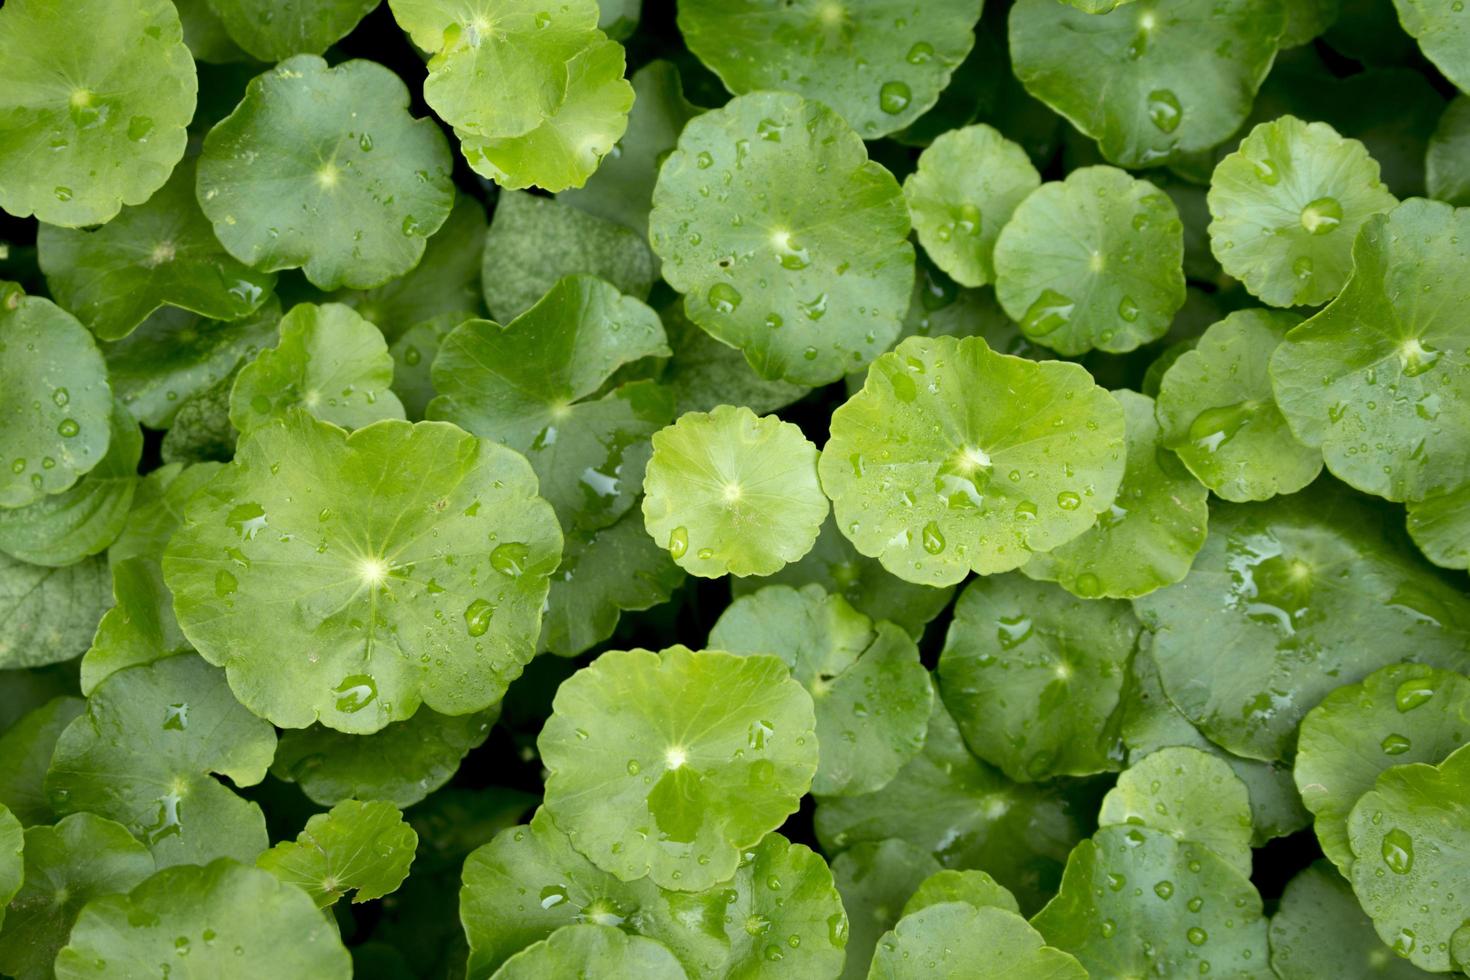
(1287, 206)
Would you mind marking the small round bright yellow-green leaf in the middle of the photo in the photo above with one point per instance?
(733, 493)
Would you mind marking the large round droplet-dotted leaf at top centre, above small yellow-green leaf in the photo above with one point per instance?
(770, 218)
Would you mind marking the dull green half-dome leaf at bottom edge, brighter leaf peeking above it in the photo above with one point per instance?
(959, 940)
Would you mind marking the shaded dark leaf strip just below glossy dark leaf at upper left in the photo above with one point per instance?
(176, 356)
